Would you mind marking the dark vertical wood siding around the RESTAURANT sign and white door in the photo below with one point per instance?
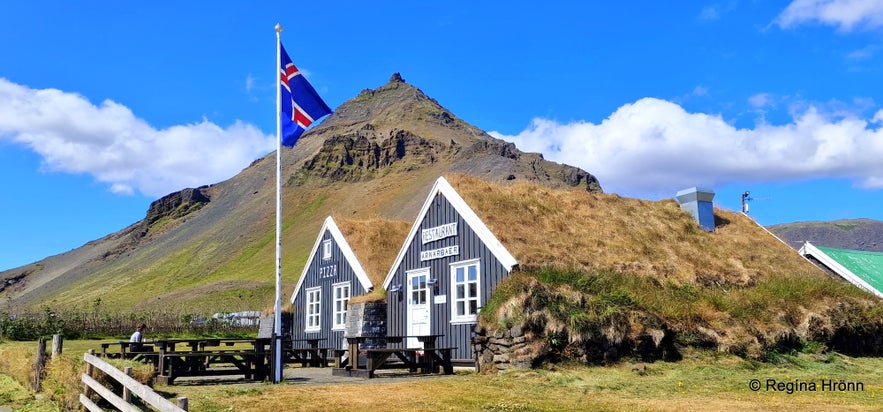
(471, 247)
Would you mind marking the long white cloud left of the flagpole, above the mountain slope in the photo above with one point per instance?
(108, 142)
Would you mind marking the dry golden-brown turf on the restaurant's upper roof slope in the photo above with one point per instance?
(574, 229)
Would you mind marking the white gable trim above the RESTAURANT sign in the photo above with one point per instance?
(487, 237)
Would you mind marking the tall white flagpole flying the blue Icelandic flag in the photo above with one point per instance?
(277, 331)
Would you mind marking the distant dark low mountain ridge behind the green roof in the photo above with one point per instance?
(856, 234)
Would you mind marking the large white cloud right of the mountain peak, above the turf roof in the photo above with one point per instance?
(653, 148)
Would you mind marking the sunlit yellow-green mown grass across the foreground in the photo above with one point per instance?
(703, 381)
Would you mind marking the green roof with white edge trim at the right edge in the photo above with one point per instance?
(861, 268)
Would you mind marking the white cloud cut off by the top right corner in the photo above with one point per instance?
(845, 14)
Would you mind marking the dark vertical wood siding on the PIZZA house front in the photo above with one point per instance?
(345, 273)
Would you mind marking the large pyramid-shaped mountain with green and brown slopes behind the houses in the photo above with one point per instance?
(212, 248)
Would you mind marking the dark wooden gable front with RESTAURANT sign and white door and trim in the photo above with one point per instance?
(444, 273)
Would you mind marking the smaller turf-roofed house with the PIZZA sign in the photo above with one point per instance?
(348, 259)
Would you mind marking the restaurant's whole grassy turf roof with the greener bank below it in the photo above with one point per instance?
(622, 268)
